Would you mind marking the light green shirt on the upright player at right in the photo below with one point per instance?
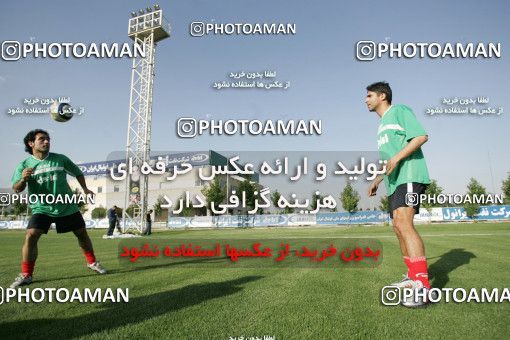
(397, 127)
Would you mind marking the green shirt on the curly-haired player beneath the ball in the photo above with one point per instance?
(49, 177)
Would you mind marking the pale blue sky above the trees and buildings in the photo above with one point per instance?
(327, 82)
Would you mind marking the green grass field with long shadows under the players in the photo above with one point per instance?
(176, 302)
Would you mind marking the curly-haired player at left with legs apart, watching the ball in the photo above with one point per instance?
(44, 173)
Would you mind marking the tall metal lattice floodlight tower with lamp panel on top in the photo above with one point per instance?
(146, 28)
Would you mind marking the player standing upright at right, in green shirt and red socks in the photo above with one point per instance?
(400, 137)
